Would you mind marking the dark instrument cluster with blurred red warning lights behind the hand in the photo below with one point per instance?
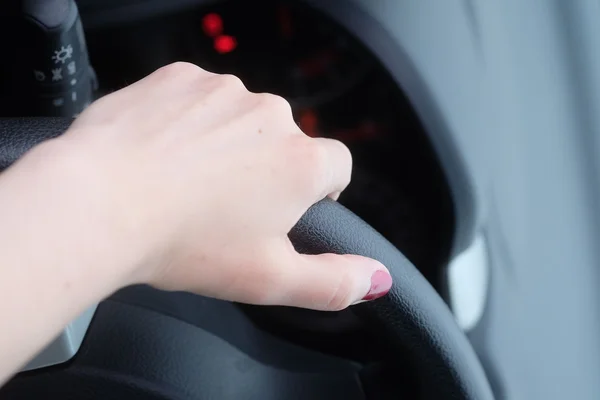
(336, 87)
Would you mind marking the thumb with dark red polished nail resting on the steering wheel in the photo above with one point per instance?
(331, 282)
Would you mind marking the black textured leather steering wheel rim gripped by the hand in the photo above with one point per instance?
(412, 320)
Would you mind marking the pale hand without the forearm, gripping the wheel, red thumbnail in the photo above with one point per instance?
(201, 181)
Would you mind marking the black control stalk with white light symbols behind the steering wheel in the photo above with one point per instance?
(45, 64)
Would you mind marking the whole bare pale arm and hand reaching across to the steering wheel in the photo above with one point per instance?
(185, 181)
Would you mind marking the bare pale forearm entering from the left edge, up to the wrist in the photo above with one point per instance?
(52, 269)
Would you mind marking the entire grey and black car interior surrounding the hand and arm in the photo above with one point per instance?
(474, 130)
